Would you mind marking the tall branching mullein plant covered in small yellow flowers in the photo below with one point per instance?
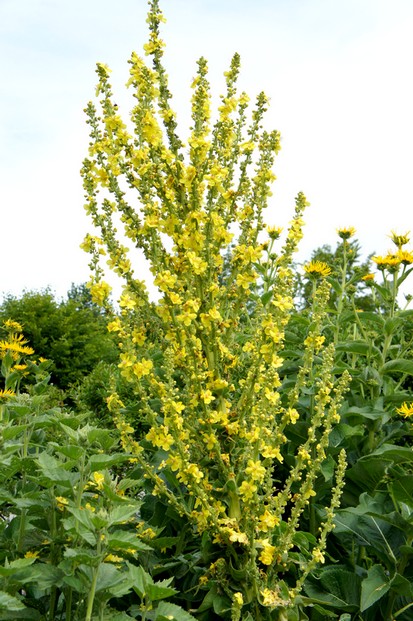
(204, 360)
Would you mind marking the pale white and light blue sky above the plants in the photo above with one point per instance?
(338, 72)
